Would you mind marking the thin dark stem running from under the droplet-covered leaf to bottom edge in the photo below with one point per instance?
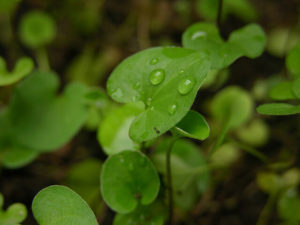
(169, 179)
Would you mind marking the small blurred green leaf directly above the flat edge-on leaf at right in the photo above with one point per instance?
(282, 91)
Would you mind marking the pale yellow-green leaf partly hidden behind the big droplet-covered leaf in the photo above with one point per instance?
(113, 131)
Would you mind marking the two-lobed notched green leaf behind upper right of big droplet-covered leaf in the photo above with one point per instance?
(248, 41)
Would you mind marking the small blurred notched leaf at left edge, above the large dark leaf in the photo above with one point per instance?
(22, 68)
